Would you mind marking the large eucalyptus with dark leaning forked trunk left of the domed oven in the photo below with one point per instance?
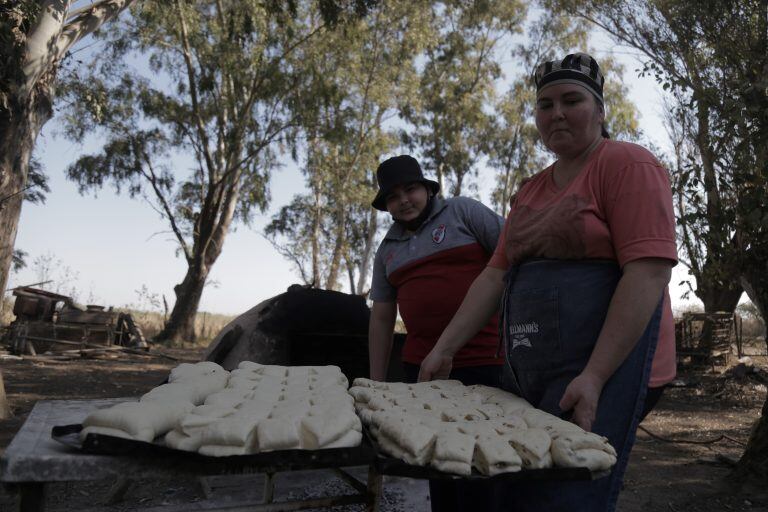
(220, 89)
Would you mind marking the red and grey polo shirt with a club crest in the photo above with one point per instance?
(428, 273)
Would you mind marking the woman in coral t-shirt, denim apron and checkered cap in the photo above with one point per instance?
(582, 266)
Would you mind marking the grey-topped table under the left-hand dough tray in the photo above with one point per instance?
(34, 459)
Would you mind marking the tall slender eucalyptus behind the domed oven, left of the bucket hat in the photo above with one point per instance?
(358, 81)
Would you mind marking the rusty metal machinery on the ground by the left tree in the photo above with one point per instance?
(50, 322)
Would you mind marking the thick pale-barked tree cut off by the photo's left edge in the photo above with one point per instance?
(34, 39)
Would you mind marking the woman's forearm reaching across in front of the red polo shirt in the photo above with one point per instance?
(477, 308)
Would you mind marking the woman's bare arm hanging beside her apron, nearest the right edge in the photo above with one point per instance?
(632, 305)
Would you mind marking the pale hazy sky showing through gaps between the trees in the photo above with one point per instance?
(116, 251)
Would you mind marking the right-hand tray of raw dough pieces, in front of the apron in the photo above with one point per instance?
(443, 429)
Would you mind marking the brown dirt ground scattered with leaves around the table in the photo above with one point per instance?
(711, 411)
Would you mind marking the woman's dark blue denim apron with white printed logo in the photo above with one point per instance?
(552, 314)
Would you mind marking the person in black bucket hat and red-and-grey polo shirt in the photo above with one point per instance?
(423, 267)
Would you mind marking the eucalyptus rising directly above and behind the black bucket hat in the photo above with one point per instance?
(457, 85)
